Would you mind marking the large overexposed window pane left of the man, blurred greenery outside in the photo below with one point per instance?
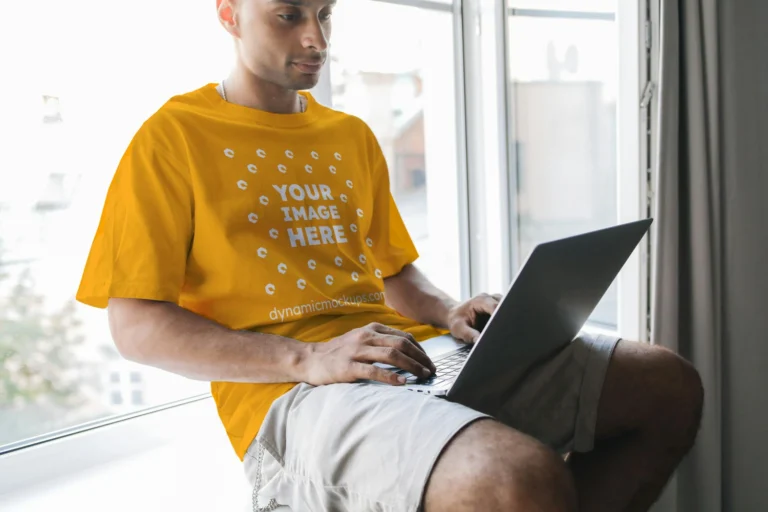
(65, 123)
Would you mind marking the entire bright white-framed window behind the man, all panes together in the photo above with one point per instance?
(560, 157)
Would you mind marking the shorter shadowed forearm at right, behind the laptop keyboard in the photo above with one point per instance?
(412, 295)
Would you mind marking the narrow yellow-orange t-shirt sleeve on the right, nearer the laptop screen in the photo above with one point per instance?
(392, 244)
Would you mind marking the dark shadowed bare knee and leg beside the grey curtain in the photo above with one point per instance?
(648, 417)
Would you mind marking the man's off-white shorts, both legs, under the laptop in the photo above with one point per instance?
(365, 447)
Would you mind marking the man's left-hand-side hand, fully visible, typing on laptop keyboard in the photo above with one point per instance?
(351, 356)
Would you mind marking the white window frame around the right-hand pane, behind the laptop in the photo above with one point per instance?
(632, 149)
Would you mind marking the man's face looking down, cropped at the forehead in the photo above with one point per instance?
(284, 42)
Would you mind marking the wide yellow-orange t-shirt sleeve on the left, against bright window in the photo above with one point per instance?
(141, 245)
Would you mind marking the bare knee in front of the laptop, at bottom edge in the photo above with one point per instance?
(491, 467)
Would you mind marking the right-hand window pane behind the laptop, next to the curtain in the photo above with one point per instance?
(564, 90)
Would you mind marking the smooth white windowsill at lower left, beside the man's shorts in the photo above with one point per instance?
(174, 459)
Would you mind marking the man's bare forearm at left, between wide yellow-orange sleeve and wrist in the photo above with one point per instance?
(169, 337)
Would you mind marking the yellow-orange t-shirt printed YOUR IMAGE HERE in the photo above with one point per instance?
(277, 223)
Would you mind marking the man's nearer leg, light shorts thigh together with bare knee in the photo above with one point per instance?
(362, 447)
